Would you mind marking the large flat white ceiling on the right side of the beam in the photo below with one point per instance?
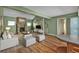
(53, 10)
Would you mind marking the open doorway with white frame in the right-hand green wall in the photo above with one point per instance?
(61, 26)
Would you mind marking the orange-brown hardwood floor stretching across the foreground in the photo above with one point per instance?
(50, 45)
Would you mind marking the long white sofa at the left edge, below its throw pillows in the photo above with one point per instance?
(9, 42)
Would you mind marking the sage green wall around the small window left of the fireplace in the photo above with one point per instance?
(6, 19)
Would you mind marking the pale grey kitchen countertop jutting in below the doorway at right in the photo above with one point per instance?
(69, 38)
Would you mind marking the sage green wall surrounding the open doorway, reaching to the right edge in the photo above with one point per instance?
(52, 23)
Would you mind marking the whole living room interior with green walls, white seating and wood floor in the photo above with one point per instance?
(39, 29)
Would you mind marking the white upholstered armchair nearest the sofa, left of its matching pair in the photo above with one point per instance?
(29, 40)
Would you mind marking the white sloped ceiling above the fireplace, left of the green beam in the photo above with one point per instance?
(14, 13)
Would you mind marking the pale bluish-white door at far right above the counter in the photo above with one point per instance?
(74, 26)
